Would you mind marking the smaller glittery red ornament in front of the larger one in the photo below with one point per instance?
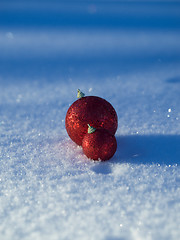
(99, 144)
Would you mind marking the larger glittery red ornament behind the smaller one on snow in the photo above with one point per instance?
(91, 110)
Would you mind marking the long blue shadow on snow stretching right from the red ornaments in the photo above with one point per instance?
(148, 149)
